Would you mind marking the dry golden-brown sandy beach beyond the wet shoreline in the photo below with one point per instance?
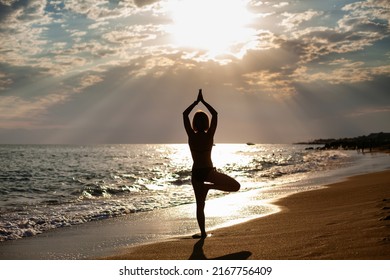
(347, 220)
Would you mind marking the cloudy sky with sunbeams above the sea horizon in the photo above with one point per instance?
(123, 71)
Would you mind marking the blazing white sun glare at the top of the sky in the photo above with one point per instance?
(217, 26)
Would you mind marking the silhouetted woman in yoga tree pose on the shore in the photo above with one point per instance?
(204, 175)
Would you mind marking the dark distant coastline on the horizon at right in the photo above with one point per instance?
(373, 141)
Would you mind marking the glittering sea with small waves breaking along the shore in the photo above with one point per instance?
(46, 187)
